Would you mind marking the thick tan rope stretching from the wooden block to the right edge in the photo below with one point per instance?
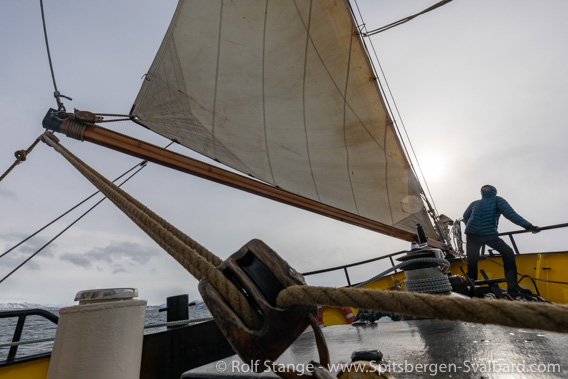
(552, 317)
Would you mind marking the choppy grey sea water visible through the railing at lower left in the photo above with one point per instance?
(37, 327)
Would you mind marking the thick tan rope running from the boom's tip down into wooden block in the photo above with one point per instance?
(193, 257)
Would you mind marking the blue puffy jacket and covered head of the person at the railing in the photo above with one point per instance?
(482, 216)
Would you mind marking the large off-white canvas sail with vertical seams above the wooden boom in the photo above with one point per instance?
(282, 90)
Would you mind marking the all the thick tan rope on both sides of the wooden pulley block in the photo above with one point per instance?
(201, 263)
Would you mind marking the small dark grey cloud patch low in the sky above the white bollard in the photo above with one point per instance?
(119, 255)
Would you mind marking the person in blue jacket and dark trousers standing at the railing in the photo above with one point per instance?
(482, 219)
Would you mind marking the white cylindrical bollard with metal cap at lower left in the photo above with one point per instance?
(101, 337)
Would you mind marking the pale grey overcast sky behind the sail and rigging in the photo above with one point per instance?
(481, 86)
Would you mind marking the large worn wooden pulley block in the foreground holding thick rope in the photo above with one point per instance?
(260, 273)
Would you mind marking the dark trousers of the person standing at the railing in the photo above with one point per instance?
(474, 244)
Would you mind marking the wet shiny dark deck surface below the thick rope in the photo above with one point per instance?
(423, 348)
